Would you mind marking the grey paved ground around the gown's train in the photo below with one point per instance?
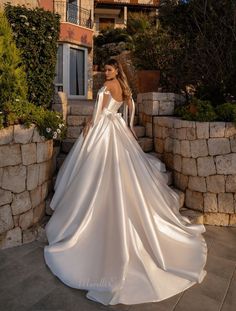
(27, 284)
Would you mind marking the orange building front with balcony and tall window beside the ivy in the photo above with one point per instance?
(75, 46)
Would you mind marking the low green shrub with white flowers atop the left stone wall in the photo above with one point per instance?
(49, 123)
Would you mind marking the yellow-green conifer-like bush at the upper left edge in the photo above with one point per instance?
(12, 74)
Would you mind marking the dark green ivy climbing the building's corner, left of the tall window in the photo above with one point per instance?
(36, 33)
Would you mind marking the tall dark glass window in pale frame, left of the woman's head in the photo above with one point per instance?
(77, 72)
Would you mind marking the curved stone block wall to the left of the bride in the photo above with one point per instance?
(26, 169)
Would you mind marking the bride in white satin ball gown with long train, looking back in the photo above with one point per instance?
(116, 230)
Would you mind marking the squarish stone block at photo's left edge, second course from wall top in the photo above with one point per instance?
(10, 155)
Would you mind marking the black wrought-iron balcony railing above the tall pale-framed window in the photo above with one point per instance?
(73, 14)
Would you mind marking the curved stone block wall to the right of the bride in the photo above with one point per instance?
(202, 156)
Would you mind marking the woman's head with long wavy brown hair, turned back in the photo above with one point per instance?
(113, 69)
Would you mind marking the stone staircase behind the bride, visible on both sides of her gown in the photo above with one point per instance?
(79, 113)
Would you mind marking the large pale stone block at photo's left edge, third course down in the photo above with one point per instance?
(14, 178)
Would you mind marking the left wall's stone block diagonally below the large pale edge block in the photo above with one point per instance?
(21, 203)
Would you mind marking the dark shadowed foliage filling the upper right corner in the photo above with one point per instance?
(207, 32)
